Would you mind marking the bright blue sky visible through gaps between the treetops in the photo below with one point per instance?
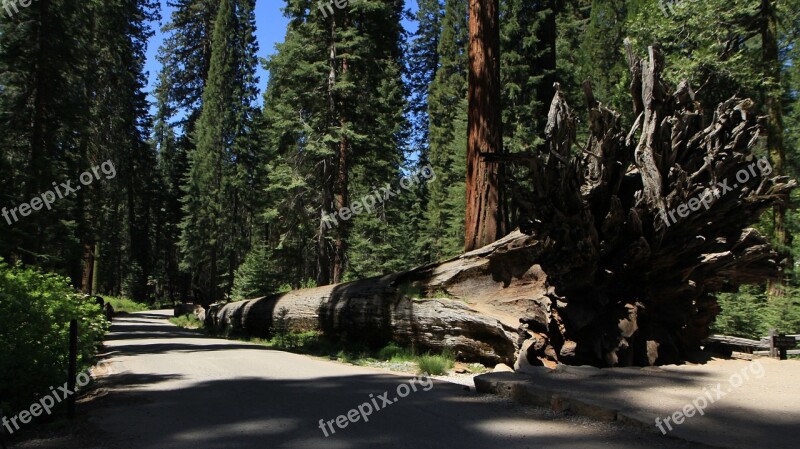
(270, 30)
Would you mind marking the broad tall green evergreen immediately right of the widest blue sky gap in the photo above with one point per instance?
(333, 120)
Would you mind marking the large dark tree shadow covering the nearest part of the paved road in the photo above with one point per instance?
(258, 412)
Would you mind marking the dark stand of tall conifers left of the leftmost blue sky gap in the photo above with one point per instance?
(72, 96)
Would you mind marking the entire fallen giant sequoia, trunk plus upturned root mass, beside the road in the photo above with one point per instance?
(620, 251)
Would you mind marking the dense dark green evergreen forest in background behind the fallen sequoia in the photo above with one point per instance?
(217, 197)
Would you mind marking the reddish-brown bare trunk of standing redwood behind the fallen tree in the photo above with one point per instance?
(484, 216)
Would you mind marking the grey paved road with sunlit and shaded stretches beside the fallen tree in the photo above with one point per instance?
(172, 388)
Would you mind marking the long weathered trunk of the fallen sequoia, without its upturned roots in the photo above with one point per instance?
(470, 305)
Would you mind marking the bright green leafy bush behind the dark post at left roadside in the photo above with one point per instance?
(35, 311)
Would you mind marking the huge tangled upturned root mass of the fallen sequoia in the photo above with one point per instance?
(632, 254)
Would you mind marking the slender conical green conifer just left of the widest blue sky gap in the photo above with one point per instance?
(216, 229)
